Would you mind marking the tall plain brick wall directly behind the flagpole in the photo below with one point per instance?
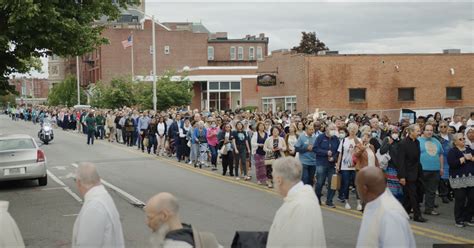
(186, 49)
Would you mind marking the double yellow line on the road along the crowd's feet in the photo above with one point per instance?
(421, 231)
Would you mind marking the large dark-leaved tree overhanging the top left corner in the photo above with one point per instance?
(33, 28)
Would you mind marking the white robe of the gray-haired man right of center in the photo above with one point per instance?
(298, 222)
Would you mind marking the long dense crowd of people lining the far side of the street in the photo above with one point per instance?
(432, 156)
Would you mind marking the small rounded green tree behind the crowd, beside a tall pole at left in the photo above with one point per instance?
(65, 93)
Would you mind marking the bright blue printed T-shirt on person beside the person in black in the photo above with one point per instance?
(430, 150)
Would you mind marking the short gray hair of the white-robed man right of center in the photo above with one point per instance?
(289, 168)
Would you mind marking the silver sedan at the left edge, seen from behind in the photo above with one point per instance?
(21, 158)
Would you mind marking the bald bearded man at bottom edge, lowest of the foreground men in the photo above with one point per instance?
(162, 213)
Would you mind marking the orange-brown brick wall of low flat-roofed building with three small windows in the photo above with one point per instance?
(330, 78)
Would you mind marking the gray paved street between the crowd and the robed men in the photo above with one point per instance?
(45, 215)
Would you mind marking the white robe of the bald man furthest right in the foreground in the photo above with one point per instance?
(385, 224)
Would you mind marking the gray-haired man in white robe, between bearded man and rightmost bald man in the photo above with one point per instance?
(298, 222)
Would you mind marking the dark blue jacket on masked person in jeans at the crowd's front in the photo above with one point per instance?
(322, 145)
